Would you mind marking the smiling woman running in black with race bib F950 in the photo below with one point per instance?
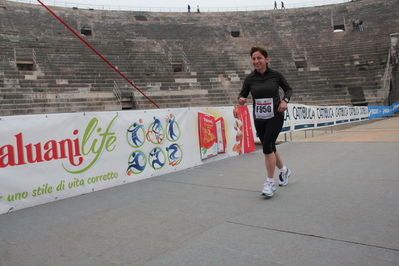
(264, 85)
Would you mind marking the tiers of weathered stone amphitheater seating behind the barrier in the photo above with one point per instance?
(189, 59)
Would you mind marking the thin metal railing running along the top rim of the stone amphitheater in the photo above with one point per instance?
(183, 8)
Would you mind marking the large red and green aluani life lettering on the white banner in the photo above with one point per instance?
(81, 153)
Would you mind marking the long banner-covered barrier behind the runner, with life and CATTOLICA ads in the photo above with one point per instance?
(49, 157)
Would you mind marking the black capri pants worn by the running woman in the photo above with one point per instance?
(268, 131)
